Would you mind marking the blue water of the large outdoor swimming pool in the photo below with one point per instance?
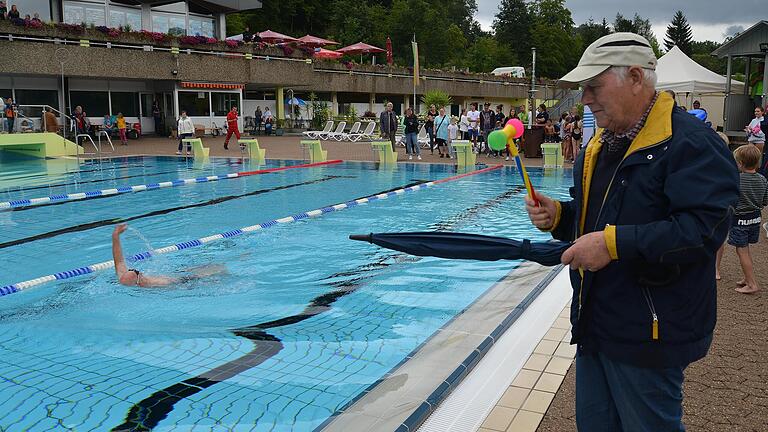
(302, 322)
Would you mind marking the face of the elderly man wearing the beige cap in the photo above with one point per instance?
(608, 98)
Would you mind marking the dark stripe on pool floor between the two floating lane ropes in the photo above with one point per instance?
(105, 222)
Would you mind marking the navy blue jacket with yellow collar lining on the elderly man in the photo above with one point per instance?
(664, 215)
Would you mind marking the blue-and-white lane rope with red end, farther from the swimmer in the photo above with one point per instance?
(26, 202)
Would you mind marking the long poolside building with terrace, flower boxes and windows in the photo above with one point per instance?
(127, 73)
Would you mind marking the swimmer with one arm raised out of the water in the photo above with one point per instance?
(133, 277)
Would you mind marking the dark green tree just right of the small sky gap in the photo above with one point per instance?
(512, 27)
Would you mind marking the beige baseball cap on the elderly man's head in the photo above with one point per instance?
(617, 49)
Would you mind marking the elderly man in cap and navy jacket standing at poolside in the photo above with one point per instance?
(651, 203)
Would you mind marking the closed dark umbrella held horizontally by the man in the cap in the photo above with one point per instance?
(468, 246)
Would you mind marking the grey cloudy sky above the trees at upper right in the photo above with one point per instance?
(709, 19)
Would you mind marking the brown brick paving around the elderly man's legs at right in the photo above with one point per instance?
(727, 390)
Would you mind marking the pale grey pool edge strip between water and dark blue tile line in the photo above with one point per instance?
(415, 387)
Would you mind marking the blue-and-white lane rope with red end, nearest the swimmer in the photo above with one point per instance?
(19, 286)
